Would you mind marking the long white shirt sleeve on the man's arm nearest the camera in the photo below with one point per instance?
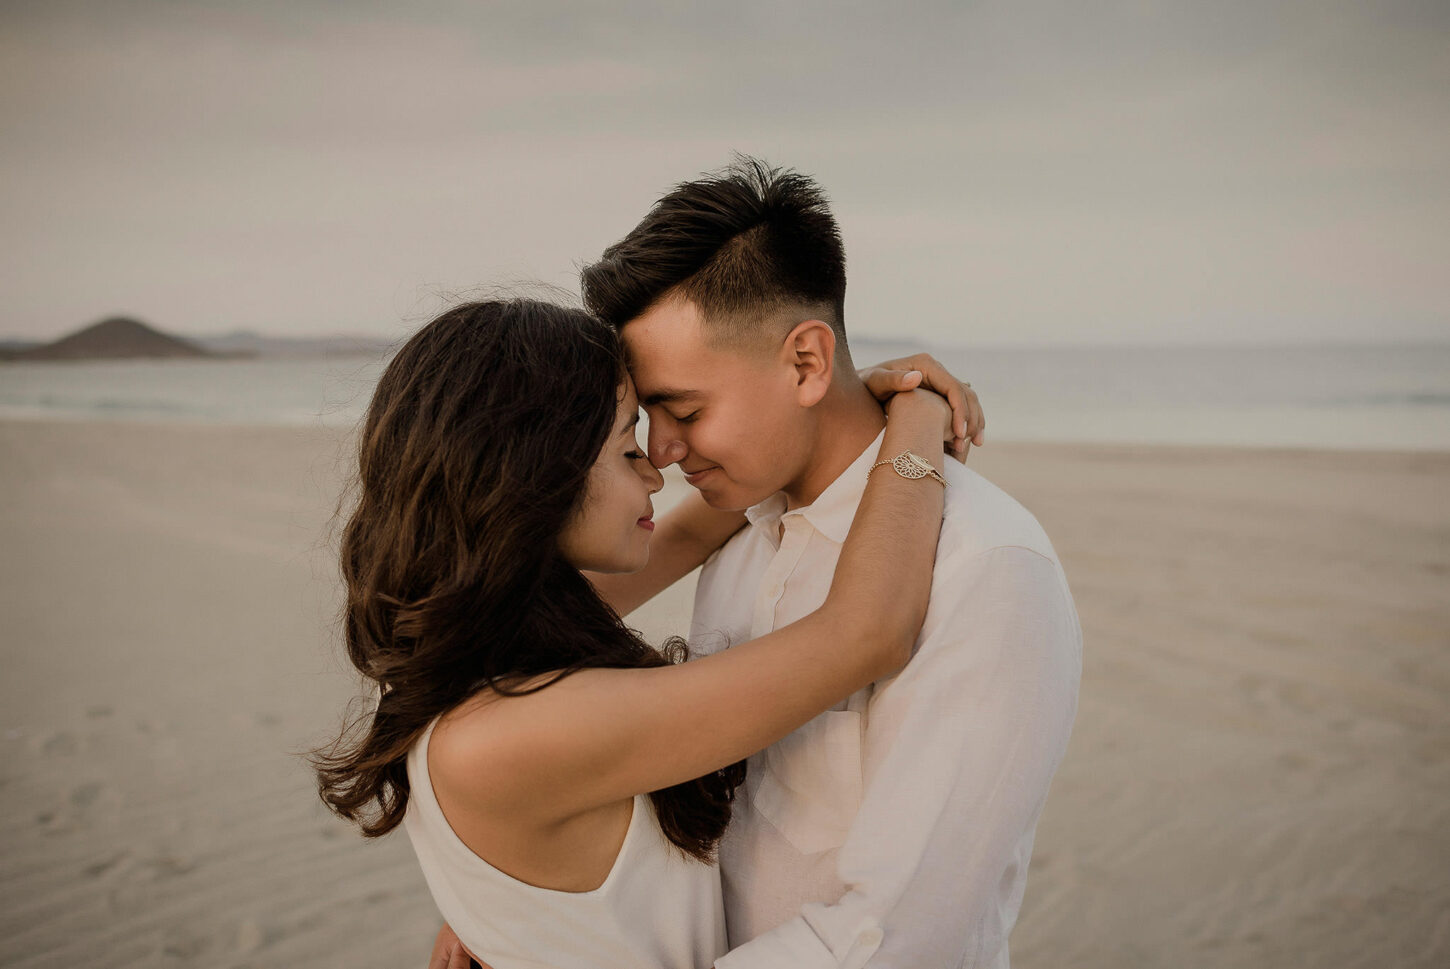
(958, 754)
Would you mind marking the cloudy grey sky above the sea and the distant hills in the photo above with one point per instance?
(1006, 173)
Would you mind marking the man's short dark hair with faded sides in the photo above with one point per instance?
(743, 244)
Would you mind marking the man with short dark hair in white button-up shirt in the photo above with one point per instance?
(895, 830)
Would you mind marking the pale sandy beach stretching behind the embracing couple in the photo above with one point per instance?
(1259, 775)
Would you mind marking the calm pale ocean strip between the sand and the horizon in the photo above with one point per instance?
(1351, 398)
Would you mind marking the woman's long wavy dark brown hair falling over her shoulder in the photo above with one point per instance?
(475, 455)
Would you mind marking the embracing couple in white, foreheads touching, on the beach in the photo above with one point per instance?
(850, 770)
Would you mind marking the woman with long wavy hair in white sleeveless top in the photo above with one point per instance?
(563, 783)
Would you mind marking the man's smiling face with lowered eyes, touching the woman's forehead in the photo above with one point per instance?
(730, 418)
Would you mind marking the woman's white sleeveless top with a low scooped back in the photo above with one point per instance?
(659, 909)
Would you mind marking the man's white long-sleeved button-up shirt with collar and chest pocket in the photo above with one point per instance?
(895, 830)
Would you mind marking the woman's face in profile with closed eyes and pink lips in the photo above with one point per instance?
(611, 530)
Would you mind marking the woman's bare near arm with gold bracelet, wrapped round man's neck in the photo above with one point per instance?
(605, 735)
